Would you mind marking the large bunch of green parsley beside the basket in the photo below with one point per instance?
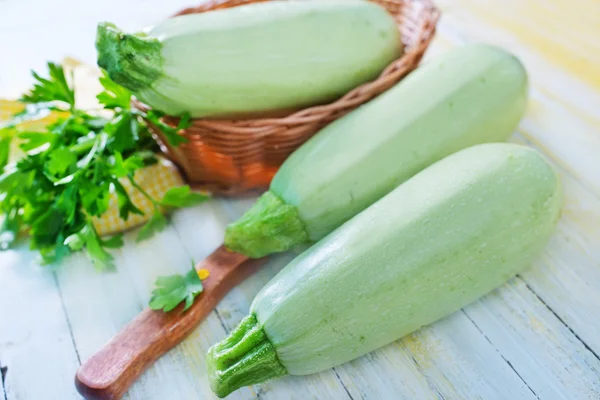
(70, 171)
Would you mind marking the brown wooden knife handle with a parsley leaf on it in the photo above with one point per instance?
(108, 374)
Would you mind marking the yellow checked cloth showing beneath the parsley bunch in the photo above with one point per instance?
(156, 179)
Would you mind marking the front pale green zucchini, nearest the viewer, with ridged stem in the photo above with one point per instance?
(441, 240)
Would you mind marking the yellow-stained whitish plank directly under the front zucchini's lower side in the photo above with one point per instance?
(449, 359)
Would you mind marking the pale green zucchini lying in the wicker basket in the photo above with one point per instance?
(276, 56)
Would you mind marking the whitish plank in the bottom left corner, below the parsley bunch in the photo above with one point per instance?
(36, 349)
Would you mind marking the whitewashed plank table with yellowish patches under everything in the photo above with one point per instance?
(536, 337)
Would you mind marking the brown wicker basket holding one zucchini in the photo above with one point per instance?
(233, 157)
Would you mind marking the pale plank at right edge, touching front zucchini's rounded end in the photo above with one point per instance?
(566, 277)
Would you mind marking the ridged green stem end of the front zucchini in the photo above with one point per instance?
(244, 358)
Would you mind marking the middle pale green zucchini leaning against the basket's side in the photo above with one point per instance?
(471, 95)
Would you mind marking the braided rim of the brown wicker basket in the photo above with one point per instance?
(303, 116)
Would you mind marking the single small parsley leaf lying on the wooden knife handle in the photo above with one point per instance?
(172, 290)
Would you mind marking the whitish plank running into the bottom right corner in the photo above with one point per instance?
(542, 350)
